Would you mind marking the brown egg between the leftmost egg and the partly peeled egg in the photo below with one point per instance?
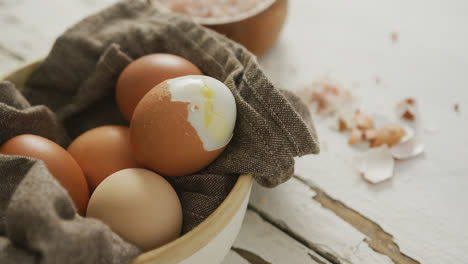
(102, 151)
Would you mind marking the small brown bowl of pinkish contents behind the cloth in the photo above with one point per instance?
(256, 24)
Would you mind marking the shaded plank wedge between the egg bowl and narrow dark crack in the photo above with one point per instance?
(260, 242)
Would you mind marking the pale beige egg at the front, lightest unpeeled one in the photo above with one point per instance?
(140, 206)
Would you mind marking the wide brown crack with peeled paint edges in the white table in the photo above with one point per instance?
(378, 239)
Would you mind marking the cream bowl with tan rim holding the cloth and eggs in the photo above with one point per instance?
(210, 241)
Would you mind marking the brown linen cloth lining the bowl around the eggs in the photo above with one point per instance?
(38, 223)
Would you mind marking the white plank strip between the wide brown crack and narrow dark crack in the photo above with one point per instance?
(292, 208)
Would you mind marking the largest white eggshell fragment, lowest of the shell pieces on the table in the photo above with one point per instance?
(376, 164)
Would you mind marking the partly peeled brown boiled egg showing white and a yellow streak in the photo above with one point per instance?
(182, 125)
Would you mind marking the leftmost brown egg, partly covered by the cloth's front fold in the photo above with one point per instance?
(59, 162)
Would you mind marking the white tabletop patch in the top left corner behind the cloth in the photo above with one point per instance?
(30, 27)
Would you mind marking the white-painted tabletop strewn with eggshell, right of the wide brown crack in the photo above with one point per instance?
(349, 41)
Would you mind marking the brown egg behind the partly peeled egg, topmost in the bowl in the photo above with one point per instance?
(145, 73)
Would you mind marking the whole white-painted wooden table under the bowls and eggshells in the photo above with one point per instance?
(327, 213)
